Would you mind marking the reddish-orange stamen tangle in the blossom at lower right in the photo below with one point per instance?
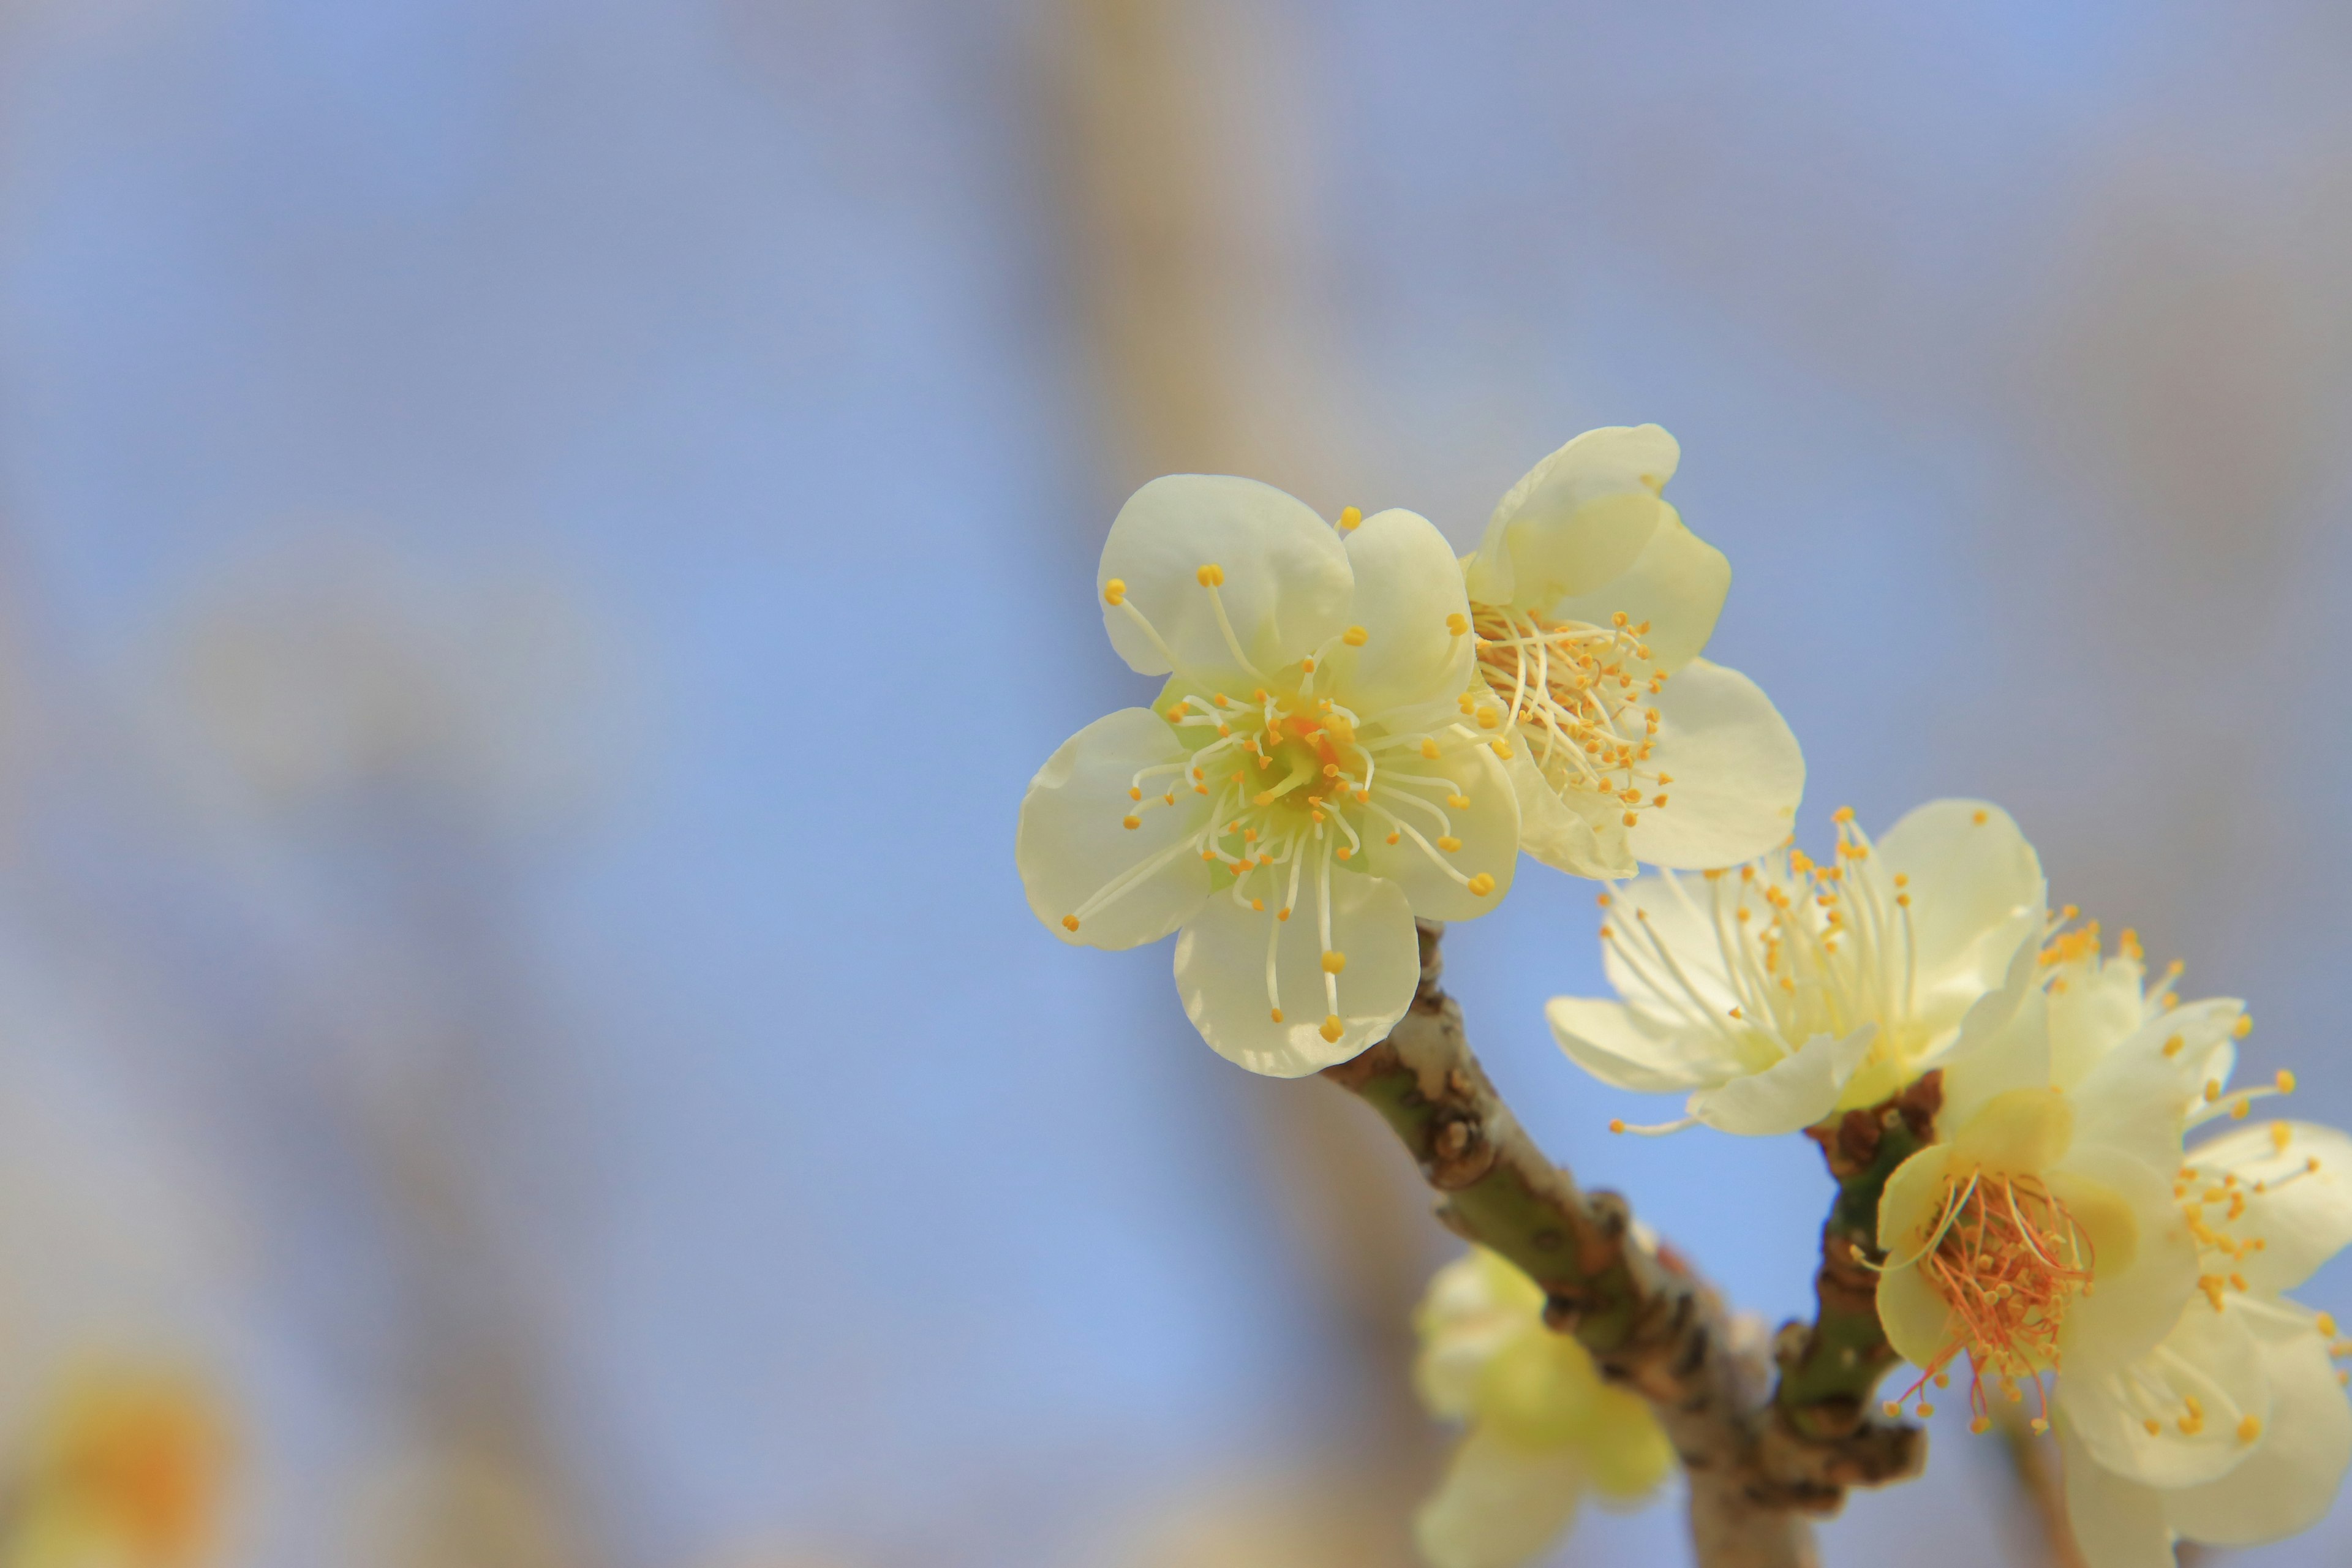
(2007, 1259)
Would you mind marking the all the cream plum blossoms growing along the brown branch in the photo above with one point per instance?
(1361, 732)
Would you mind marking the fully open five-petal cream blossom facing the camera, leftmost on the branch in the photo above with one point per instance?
(1304, 786)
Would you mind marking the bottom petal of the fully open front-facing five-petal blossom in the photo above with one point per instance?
(1222, 974)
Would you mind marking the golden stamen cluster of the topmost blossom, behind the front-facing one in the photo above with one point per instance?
(1575, 695)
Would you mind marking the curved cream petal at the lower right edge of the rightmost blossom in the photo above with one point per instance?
(2290, 1482)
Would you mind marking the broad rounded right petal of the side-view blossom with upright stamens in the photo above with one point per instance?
(1977, 892)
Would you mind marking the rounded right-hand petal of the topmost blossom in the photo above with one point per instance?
(1737, 772)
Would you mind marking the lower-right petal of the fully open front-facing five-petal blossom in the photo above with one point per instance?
(1488, 833)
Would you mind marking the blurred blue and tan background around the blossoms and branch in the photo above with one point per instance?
(542, 540)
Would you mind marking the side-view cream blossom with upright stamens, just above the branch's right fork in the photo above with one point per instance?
(1789, 989)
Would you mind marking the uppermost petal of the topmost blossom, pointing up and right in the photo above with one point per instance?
(1577, 521)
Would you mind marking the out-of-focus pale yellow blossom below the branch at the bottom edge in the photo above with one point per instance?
(1544, 1430)
